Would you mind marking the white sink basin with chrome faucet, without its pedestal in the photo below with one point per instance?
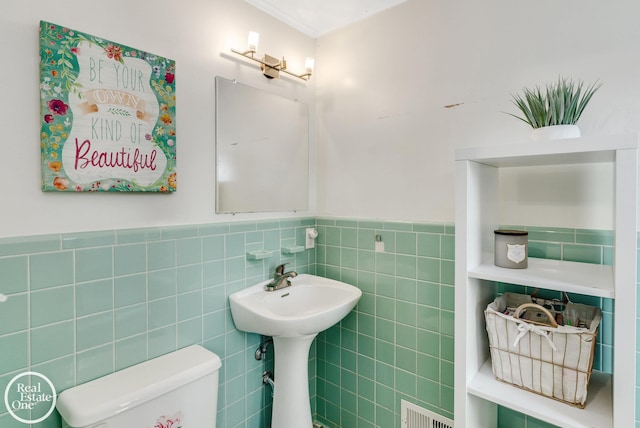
(312, 304)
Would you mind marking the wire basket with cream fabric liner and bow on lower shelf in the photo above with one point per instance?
(543, 347)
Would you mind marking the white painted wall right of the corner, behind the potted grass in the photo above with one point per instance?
(387, 139)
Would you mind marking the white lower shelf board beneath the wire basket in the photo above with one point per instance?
(597, 412)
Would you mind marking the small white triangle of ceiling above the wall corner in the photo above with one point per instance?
(317, 17)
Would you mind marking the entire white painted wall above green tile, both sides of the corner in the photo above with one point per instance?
(386, 141)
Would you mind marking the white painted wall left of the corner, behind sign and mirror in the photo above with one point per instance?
(198, 34)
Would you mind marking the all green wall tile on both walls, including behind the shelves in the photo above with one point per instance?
(83, 305)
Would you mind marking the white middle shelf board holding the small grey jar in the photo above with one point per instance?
(572, 277)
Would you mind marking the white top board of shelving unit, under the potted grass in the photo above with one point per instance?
(569, 151)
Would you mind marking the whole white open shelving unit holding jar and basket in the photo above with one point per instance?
(611, 398)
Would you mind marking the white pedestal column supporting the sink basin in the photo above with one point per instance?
(291, 407)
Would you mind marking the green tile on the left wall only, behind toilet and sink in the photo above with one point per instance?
(84, 305)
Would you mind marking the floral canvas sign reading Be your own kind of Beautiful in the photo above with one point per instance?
(107, 113)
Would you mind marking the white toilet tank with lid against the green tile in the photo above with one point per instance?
(179, 389)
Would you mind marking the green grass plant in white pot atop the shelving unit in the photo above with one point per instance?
(553, 112)
